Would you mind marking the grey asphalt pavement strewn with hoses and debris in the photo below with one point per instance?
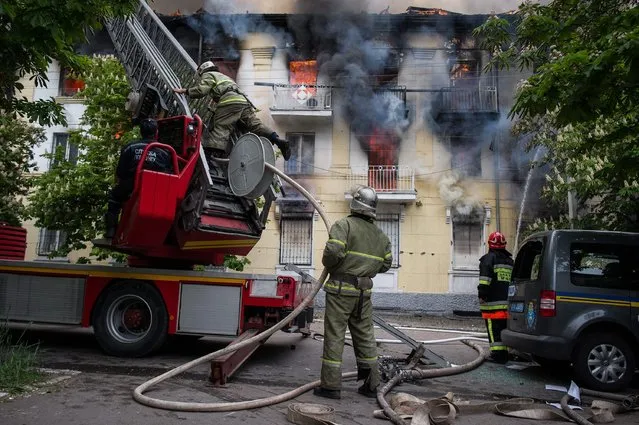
(101, 392)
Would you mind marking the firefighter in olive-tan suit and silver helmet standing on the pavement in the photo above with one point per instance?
(355, 252)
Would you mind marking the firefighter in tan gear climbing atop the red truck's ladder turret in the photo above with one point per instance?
(231, 107)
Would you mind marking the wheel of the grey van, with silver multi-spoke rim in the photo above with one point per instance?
(604, 362)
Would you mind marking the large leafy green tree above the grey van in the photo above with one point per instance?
(581, 102)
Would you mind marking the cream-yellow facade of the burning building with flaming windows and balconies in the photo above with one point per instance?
(402, 105)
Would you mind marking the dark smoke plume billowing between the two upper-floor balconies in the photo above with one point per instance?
(351, 54)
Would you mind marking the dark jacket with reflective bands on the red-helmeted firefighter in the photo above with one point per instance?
(495, 270)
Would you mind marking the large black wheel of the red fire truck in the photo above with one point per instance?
(130, 320)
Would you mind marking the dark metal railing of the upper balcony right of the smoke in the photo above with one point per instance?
(458, 101)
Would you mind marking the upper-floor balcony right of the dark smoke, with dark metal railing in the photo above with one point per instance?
(453, 103)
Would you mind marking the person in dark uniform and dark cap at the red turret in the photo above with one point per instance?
(157, 159)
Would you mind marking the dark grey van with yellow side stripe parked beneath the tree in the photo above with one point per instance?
(574, 298)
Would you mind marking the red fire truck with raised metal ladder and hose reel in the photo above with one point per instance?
(196, 214)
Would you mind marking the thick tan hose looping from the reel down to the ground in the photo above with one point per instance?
(138, 393)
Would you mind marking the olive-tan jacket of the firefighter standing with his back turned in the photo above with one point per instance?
(356, 248)
